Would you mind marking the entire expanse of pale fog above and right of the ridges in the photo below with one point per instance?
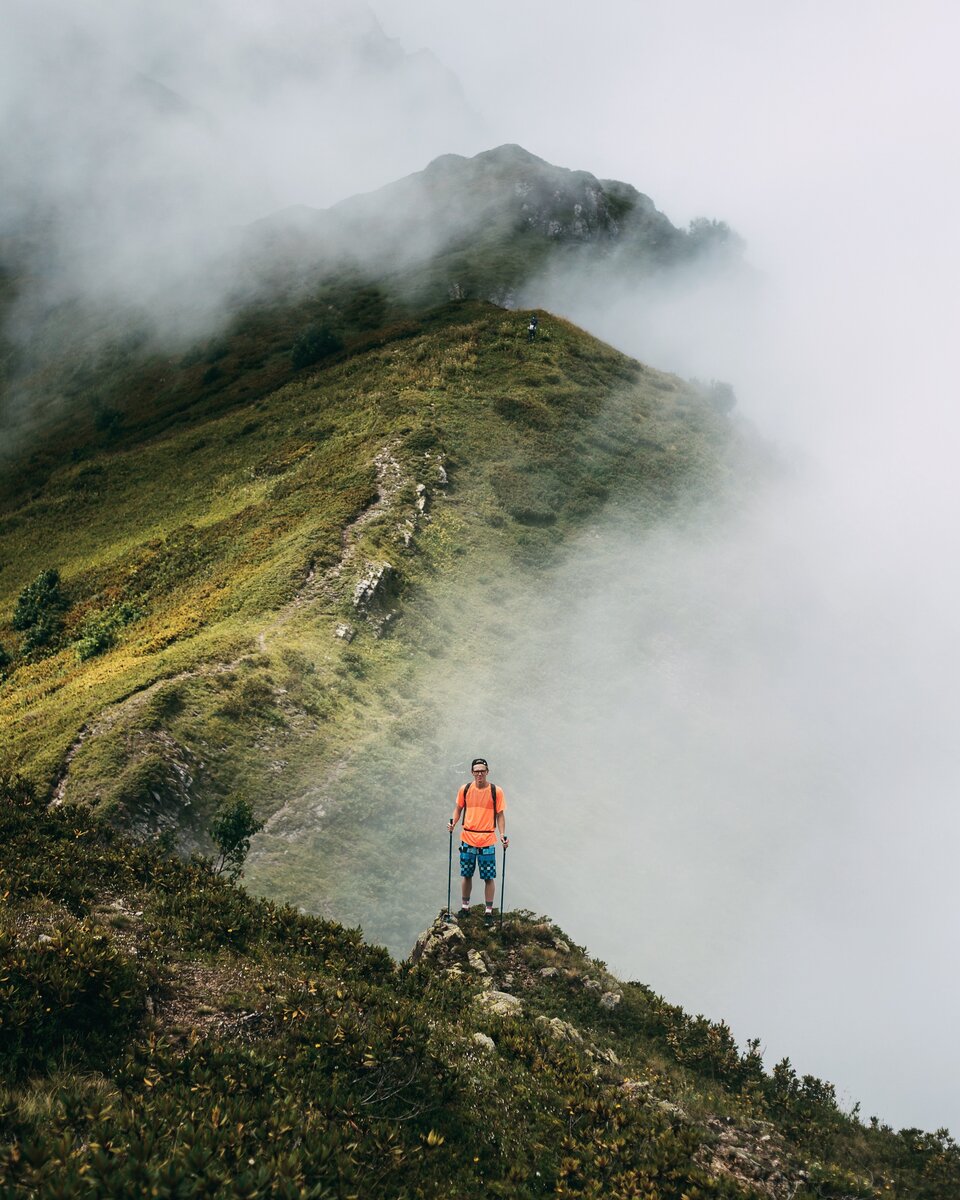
(733, 772)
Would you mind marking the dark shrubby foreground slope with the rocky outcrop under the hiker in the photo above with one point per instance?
(161, 1034)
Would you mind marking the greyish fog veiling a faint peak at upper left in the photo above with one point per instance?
(135, 141)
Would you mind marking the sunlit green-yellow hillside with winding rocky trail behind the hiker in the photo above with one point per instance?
(247, 599)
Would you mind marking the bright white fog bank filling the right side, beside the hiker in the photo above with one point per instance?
(743, 791)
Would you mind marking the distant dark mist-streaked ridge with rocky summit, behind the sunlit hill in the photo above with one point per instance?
(494, 227)
